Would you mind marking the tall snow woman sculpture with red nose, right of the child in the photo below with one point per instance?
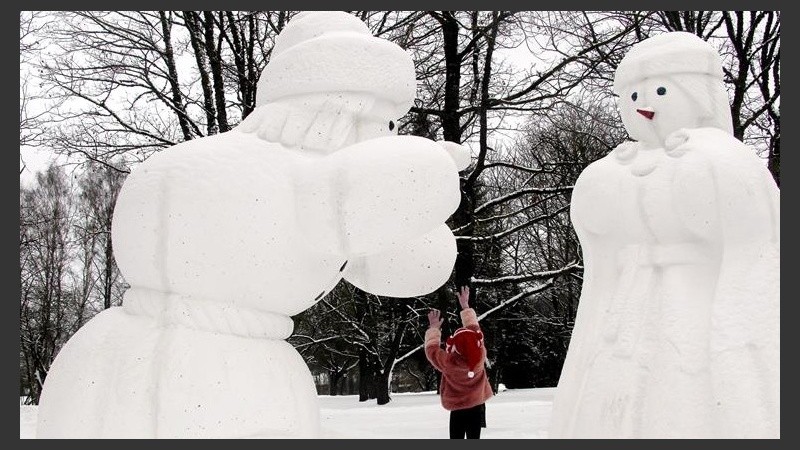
(677, 331)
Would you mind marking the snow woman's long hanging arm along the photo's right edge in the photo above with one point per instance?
(745, 307)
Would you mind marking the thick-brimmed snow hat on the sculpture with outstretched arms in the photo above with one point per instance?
(333, 51)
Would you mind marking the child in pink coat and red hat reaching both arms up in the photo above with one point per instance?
(464, 386)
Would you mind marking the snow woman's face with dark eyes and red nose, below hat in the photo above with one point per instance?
(653, 108)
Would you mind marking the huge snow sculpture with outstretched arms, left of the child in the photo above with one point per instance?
(222, 239)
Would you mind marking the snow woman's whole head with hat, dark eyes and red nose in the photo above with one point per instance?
(668, 82)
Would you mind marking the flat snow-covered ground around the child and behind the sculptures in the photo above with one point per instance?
(511, 414)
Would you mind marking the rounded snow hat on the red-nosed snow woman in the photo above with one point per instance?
(666, 54)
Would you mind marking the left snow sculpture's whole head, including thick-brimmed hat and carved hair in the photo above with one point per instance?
(330, 83)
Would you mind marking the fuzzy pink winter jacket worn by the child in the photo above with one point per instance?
(457, 389)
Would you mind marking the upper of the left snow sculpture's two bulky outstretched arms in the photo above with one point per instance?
(370, 196)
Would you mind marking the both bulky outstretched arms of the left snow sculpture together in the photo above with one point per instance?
(382, 204)
